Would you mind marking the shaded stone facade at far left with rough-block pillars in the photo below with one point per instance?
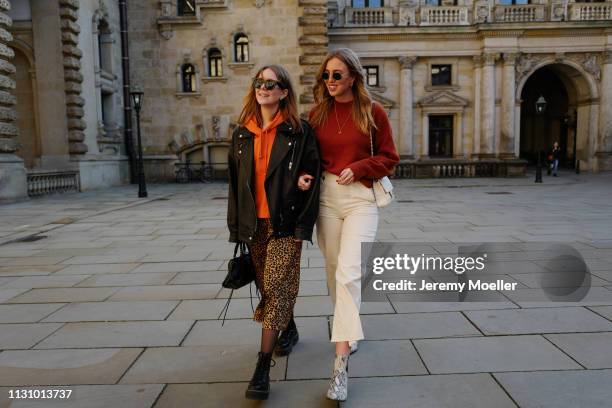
(62, 98)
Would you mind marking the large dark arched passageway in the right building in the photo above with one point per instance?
(566, 118)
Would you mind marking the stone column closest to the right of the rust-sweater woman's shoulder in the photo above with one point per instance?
(406, 124)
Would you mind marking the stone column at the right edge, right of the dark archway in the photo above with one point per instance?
(604, 145)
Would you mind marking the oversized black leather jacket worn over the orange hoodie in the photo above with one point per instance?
(292, 212)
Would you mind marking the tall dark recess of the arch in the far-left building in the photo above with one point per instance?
(26, 121)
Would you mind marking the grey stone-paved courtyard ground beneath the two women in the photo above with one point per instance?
(116, 298)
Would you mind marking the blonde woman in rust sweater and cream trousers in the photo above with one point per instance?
(343, 119)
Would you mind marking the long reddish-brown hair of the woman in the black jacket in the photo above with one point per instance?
(287, 105)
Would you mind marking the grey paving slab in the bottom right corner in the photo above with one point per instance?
(559, 389)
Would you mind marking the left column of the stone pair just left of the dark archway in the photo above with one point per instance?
(487, 128)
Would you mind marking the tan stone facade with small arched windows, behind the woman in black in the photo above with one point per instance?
(195, 59)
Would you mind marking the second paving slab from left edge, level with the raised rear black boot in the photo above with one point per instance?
(117, 334)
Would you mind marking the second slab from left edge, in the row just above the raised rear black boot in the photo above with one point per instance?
(112, 311)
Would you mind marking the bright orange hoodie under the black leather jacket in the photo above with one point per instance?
(262, 147)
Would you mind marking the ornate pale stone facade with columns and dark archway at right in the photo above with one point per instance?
(464, 77)
